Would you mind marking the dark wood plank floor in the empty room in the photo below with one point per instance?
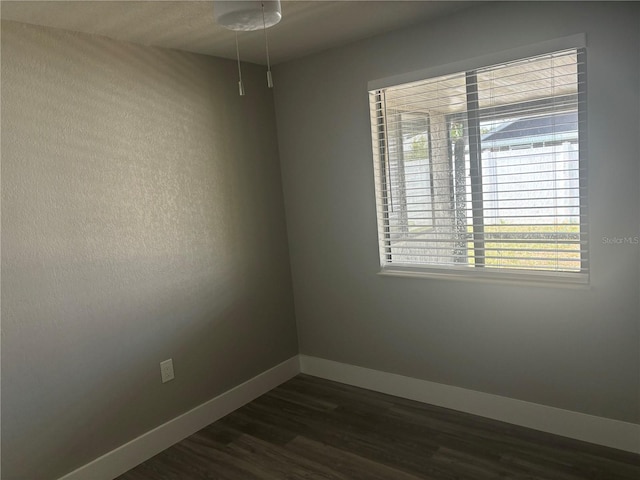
(315, 429)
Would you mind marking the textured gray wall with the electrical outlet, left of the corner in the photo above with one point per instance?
(142, 219)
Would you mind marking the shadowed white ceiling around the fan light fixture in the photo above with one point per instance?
(306, 26)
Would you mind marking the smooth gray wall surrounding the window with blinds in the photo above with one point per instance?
(576, 349)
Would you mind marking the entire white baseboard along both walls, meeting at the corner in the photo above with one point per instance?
(598, 430)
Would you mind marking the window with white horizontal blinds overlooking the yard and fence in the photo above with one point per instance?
(483, 171)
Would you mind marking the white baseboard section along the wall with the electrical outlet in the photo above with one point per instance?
(160, 438)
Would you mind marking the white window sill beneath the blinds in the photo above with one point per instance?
(478, 275)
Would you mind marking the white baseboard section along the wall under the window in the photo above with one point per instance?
(580, 426)
